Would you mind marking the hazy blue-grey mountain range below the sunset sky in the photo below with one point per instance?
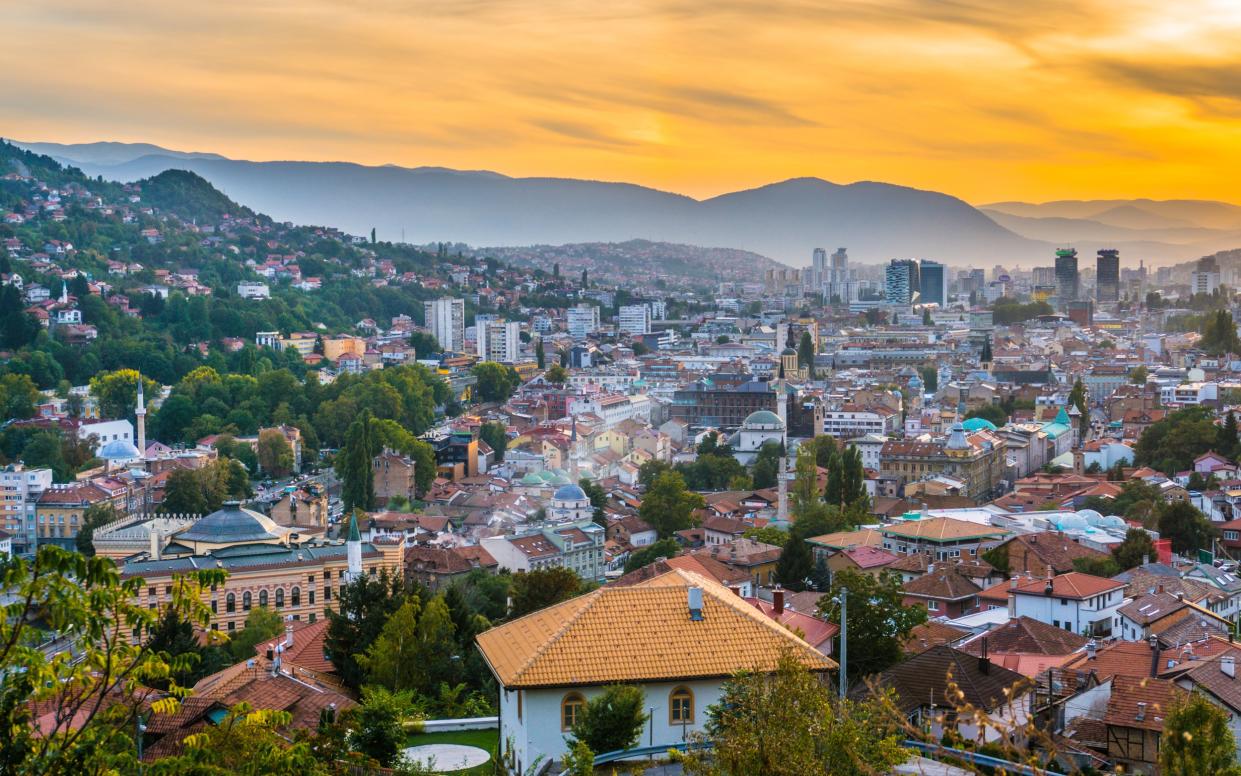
(785, 220)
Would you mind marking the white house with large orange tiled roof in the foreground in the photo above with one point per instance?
(678, 636)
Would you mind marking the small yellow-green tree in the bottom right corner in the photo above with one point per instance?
(1197, 739)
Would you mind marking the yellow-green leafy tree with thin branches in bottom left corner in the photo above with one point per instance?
(90, 701)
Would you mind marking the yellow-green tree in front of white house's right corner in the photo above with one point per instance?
(789, 723)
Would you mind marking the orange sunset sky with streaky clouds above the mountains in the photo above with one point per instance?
(983, 100)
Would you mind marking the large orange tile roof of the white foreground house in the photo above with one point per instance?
(641, 633)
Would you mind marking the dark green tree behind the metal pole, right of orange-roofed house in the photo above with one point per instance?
(879, 621)
